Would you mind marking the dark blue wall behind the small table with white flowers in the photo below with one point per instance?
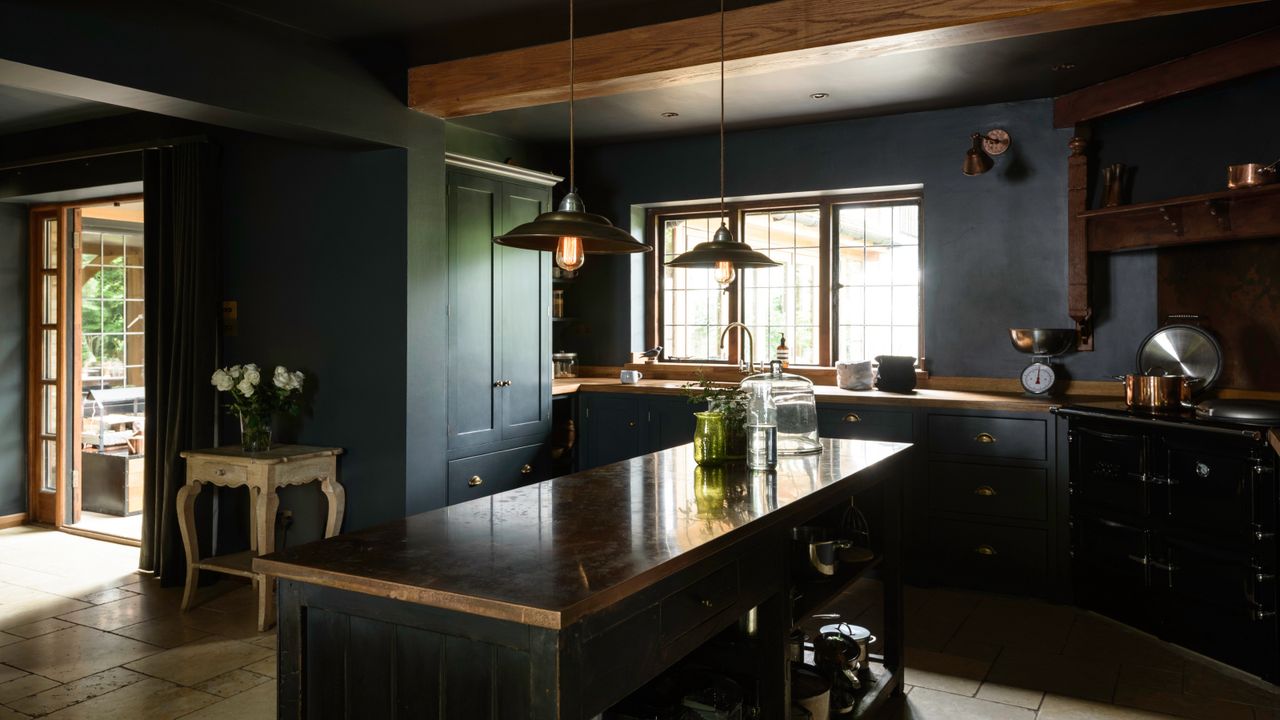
(316, 257)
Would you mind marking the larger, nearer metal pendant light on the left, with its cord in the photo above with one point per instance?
(570, 231)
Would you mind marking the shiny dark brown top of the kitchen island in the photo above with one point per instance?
(551, 553)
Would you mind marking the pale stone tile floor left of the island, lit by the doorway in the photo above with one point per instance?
(85, 636)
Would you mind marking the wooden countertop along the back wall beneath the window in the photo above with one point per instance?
(834, 395)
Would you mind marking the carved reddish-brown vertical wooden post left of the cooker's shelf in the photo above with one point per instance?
(1078, 241)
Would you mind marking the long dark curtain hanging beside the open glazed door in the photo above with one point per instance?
(182, 326)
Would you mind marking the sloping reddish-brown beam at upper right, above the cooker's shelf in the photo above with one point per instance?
(1236, 60)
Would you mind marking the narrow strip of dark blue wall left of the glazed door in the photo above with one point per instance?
(13, 359)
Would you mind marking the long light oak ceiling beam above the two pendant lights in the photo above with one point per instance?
(761, 39)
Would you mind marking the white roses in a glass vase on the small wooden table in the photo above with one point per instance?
(255, 400)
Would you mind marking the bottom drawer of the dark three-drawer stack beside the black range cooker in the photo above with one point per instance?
(990, 557)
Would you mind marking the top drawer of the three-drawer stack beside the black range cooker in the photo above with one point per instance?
(989, 438)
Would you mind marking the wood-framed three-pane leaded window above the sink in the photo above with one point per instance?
(862, 253)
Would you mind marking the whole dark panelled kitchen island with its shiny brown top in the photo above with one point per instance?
(561, 599)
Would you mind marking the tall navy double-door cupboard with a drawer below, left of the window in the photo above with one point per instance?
(500, 393)
